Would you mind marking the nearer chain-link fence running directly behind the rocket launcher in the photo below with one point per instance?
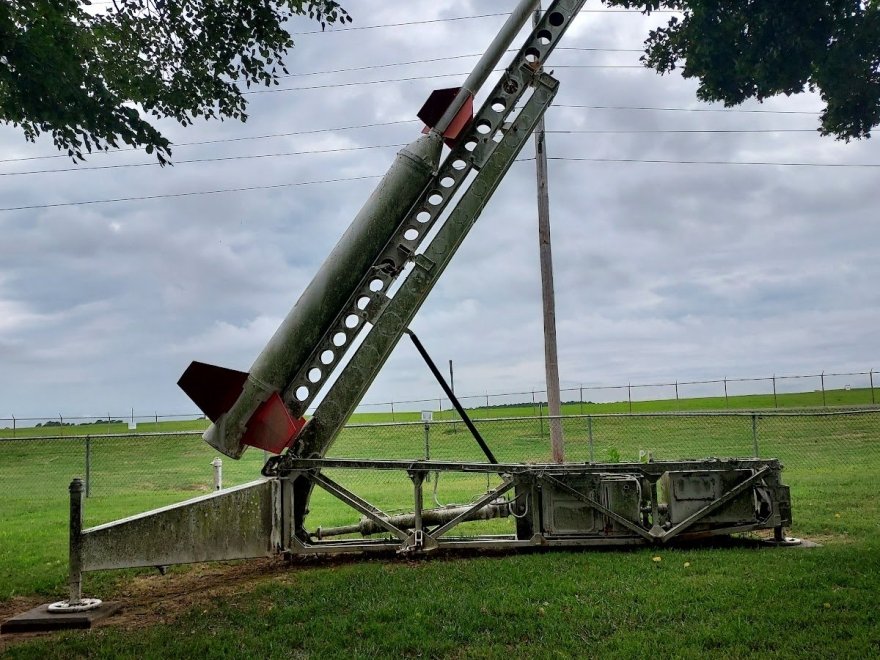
(831, 459)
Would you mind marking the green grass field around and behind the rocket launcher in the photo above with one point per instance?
(731, 602)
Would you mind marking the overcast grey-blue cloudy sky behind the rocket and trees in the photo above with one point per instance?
(663, 271)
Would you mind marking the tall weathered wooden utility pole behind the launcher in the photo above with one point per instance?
(551, 362)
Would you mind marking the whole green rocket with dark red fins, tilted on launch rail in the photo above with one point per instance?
(247, 408)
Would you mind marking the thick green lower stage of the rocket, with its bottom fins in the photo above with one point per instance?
(314, 313)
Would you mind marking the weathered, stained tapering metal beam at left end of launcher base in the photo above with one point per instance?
(239, 523)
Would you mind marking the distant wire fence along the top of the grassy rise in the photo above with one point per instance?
(825, 390)
